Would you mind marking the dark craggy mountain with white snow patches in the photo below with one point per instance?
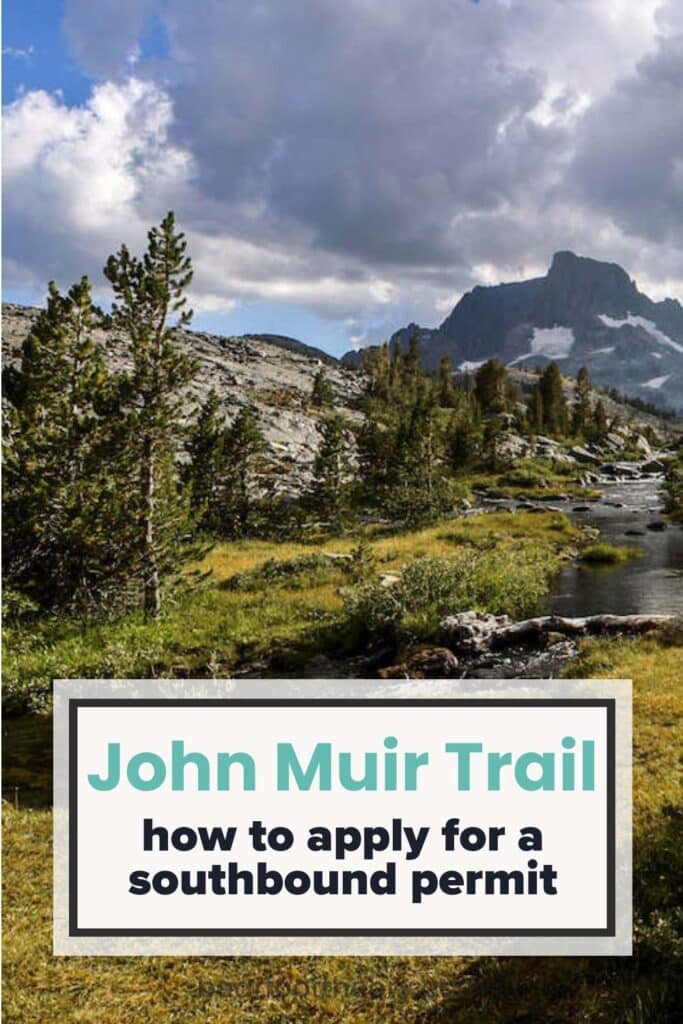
(583, 313)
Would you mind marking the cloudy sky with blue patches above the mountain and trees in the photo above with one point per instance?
(341, 168)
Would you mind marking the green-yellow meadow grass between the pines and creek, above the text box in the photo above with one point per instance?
(231, 623)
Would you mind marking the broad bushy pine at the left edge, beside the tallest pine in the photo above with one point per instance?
(62, 503)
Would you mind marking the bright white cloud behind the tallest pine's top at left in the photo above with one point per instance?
(79, 181)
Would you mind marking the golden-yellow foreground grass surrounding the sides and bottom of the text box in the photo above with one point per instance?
(40, 990)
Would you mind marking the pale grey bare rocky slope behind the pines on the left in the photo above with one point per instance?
(272, 373)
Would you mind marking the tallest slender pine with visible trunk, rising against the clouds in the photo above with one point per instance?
(150, 306)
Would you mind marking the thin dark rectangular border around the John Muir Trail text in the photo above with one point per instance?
(609, 704)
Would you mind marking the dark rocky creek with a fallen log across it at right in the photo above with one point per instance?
(644, 594)
